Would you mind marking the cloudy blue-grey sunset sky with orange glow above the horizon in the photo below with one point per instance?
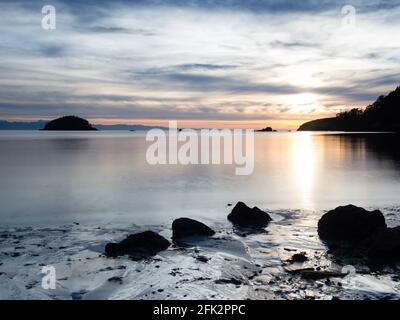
(205, 63)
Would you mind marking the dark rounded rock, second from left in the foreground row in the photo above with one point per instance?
(185, 227)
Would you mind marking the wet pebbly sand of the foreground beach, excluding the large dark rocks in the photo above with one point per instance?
(226, 266)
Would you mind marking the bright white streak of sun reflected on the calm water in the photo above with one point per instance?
(303, 165)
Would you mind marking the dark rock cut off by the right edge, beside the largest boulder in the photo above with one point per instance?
(386, 244)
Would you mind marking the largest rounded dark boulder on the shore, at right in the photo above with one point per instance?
(350, 224)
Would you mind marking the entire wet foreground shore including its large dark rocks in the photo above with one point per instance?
(283, 254)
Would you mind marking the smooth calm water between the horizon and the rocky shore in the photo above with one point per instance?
(50, 178)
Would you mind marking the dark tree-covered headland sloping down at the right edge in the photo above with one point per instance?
(381, 116)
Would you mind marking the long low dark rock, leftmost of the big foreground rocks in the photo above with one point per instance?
(138, 246)
